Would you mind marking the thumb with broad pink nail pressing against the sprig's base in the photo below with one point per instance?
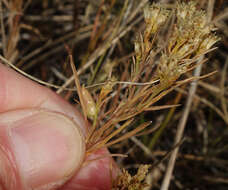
(39, 149)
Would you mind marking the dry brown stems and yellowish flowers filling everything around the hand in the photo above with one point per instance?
(136, 65)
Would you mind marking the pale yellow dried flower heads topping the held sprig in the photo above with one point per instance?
(189, 37)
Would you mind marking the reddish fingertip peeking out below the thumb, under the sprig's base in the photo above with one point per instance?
(97, 174)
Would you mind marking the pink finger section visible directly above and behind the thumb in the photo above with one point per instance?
(17, 92)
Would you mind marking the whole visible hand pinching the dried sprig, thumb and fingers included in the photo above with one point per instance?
(42, 142)
